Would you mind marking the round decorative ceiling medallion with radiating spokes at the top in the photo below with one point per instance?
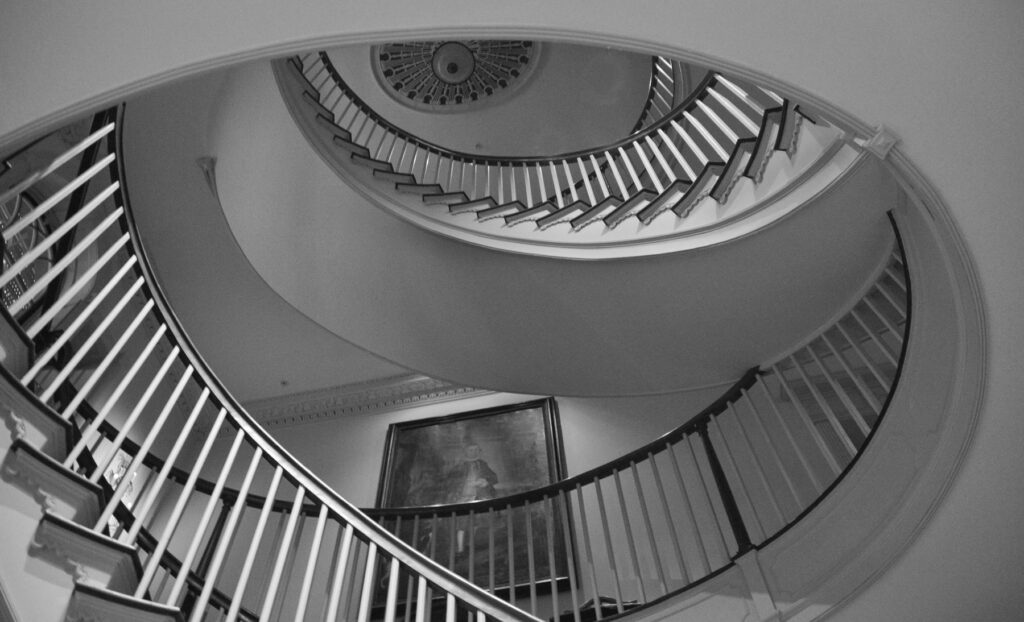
(448, 75)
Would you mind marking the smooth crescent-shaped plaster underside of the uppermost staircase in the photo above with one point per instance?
(520, 323)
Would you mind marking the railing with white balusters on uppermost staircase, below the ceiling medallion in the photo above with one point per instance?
(721, 132)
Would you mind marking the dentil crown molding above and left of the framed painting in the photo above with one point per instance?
(388, 395)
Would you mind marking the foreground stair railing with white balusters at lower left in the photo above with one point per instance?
(108, 338)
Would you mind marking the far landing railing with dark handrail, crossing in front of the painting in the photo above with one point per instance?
(670, 515)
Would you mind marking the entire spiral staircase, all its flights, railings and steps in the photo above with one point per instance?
(99, 370)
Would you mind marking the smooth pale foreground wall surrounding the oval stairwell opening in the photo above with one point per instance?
(945, 79)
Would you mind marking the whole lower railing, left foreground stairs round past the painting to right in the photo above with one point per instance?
(249, 533)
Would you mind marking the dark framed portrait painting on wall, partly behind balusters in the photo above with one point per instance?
(473, 458)
